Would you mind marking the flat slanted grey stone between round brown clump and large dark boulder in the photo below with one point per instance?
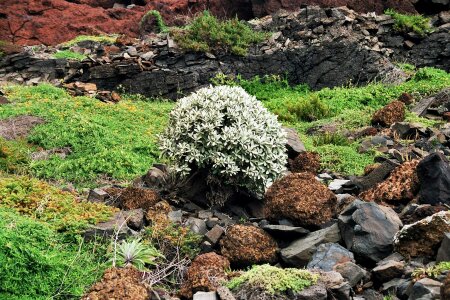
(300, 252)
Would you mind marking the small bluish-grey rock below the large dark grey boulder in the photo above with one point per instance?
(328, 255)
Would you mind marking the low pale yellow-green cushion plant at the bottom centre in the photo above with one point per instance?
(274, 280)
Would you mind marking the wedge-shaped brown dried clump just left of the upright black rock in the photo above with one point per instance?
(401, 185)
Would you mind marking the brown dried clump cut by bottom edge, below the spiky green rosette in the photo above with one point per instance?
(124, 284)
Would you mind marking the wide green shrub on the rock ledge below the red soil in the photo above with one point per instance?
(208, 34)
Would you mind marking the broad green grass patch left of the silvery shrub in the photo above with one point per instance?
(107, 141)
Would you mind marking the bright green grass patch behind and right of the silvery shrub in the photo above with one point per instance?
(349, 107)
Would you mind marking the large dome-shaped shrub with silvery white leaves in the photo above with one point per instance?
(228, 132)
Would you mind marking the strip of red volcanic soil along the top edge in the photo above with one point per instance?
(49, 22)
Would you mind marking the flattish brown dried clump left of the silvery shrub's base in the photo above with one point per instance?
(134, 198)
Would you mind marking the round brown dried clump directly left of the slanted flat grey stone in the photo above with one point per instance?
(246, 245)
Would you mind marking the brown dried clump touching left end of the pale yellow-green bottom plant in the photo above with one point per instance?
(205, 274)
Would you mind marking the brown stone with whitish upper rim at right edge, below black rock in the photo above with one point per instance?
(424, 237)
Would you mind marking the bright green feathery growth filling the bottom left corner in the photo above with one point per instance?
(37, 263)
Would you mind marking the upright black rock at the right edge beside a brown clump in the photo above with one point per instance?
(434, 176)
